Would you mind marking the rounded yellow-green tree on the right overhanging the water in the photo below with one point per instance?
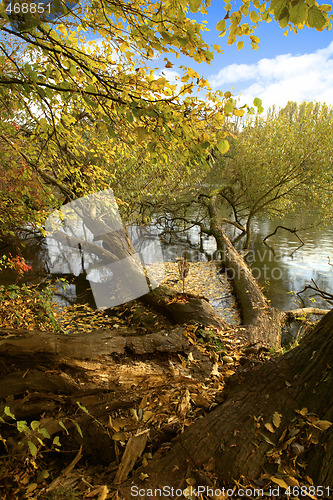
(278, 164)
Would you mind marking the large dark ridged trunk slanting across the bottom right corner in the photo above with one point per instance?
(270, 420)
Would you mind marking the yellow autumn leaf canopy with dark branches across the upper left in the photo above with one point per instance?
(79, 115)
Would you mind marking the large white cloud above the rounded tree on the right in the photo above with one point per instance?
(281, 79)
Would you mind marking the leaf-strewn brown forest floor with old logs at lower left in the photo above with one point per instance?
(136, 394)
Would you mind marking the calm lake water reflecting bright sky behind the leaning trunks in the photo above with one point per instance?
(281, 267)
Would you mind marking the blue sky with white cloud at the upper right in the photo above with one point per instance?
(293, 67)
